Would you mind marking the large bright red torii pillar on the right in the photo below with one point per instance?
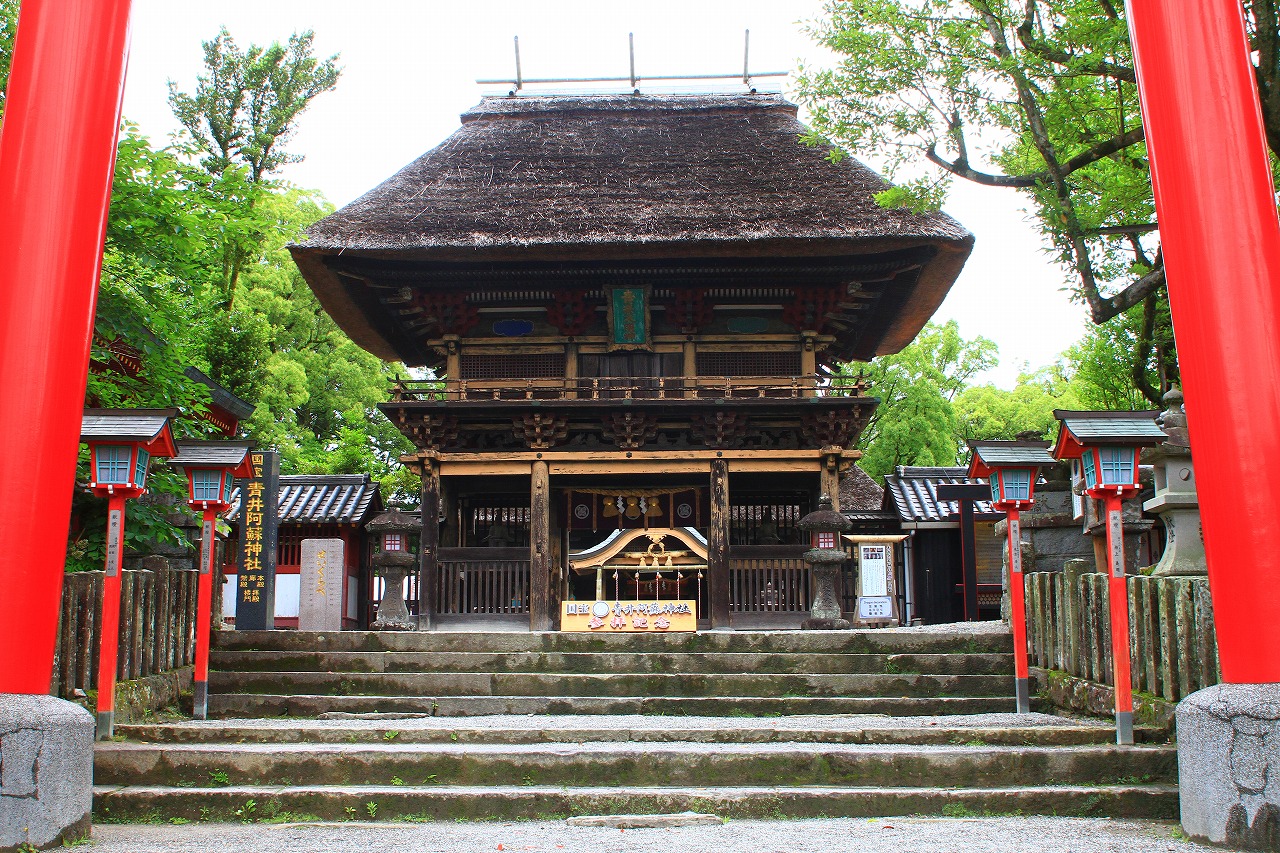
(1220, 236)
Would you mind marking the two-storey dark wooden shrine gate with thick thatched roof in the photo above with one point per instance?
(634, 308)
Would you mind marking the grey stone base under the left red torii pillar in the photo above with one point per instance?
(47, 770)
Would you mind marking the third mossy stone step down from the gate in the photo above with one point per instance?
(685, 685)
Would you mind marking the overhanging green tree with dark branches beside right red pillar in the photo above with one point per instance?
(1036, 95)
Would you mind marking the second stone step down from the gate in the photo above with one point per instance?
(616, 663)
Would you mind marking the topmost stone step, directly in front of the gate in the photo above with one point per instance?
(989, 638)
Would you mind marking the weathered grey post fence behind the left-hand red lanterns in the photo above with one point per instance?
(158, 627)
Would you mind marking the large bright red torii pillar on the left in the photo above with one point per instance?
(57, 158)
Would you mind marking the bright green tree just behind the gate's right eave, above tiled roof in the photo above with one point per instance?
(916, 422)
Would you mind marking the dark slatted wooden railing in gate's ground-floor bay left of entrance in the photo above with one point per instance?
(483, 582)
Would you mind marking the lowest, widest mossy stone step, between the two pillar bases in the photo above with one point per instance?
(540, 802)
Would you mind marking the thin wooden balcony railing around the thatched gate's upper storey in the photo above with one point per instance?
(630, 389)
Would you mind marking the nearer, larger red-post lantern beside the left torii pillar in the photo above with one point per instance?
(121, 446)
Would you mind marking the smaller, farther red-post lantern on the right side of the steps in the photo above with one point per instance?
(1012, 469)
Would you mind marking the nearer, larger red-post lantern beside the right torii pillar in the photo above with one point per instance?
(1107, 444)
